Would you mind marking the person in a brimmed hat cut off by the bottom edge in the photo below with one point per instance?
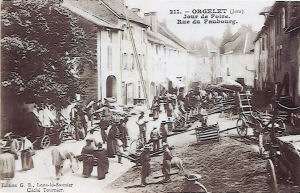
(193, 185)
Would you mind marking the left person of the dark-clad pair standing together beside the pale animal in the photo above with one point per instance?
(88, 153)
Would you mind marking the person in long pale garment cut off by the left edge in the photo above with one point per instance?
(7, 163)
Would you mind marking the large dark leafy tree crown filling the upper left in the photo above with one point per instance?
(42, 52)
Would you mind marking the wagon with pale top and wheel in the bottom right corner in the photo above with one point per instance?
(284, 160)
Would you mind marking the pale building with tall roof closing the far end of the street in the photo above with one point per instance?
(236, 61)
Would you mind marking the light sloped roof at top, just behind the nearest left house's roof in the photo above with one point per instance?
(122, 11)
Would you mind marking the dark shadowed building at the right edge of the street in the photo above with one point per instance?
(277, 53)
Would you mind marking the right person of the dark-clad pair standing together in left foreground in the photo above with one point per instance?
(102, 162)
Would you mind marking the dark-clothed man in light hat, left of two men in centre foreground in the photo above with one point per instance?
(145, 162)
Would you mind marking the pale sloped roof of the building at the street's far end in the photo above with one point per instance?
(241, 41)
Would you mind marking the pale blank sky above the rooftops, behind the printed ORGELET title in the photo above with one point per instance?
(192, 32)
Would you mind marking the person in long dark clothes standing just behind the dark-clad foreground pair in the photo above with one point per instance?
(111, 140)
